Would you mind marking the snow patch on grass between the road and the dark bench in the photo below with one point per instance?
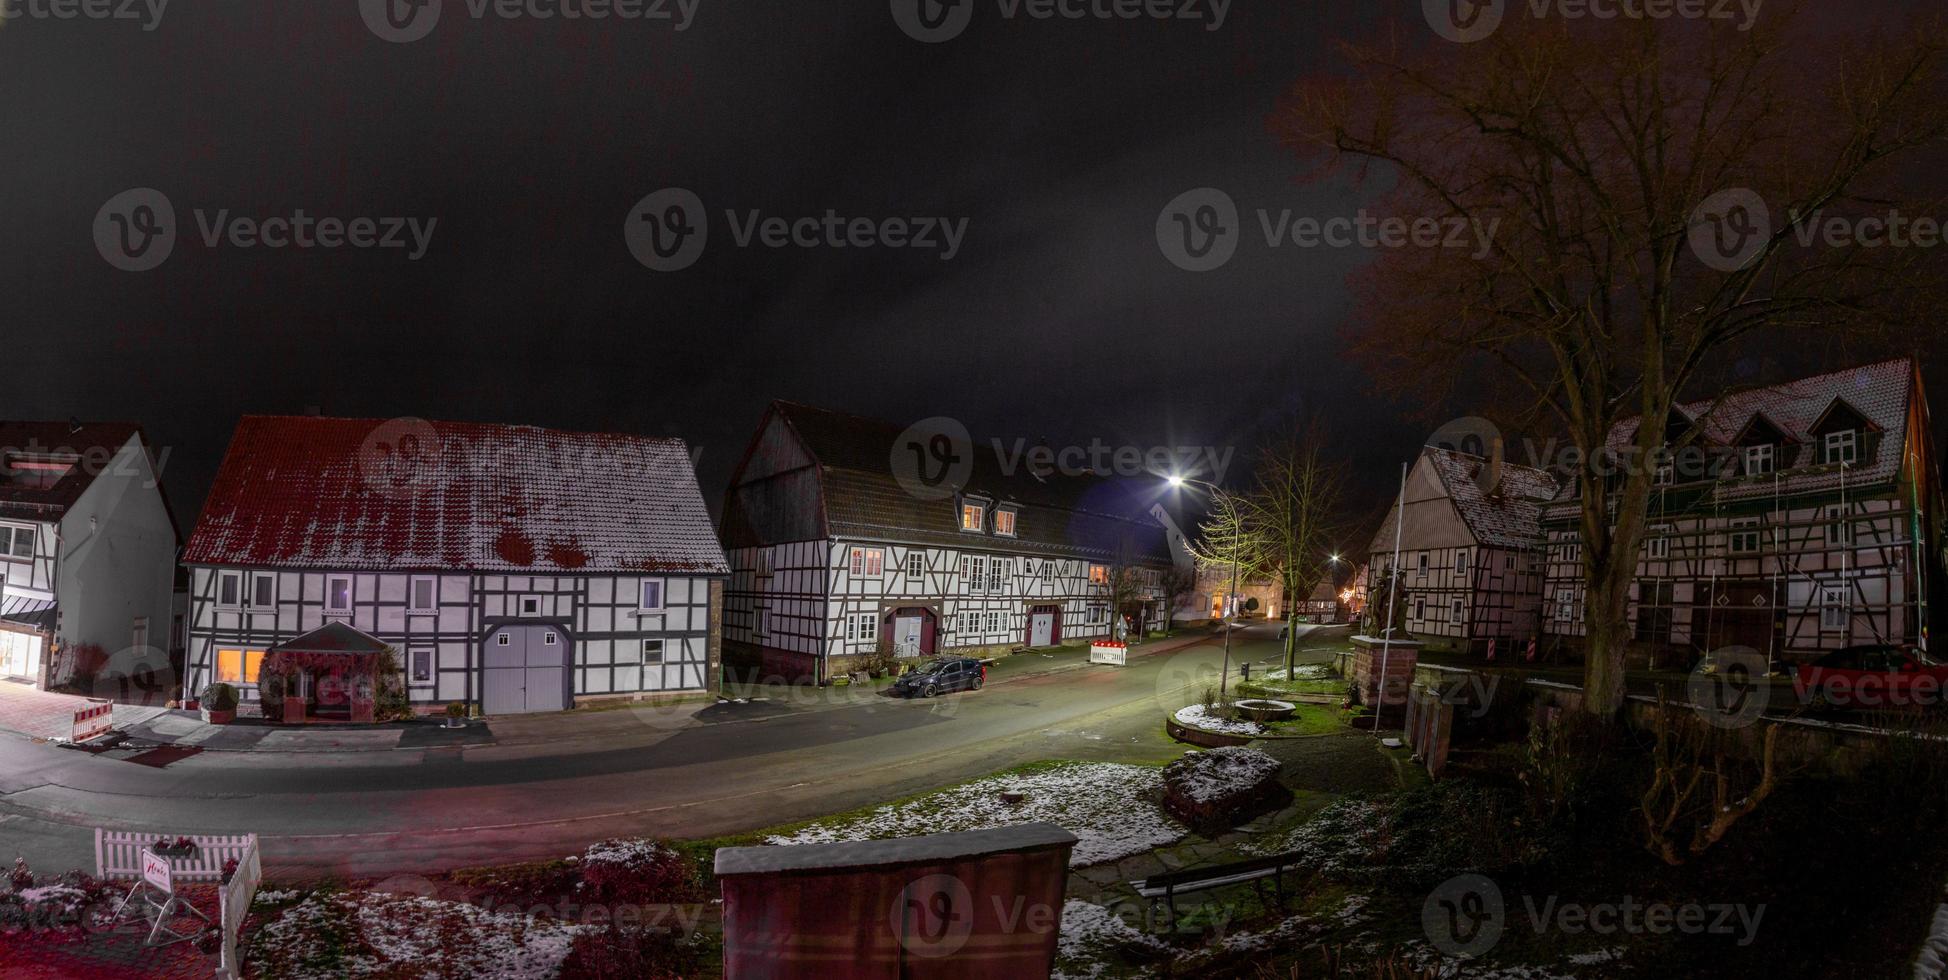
(1109, 808)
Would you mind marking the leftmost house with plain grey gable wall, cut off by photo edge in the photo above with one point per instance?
(87, 554)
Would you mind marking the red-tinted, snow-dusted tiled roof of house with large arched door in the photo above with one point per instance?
(408, 494)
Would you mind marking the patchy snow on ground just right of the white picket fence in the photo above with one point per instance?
(402, 936)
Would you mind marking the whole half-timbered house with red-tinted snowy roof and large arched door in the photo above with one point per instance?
(511, 568)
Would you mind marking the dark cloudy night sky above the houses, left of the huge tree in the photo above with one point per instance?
(529, 143)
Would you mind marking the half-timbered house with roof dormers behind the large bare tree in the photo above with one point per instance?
(1805, 519)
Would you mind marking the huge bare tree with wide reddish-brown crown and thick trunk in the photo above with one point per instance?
(1598, 174)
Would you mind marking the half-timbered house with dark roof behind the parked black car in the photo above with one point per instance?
(833, 558)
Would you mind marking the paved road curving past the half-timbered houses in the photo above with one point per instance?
(730, 771)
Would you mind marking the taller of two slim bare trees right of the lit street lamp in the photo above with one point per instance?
(1292, 513)
